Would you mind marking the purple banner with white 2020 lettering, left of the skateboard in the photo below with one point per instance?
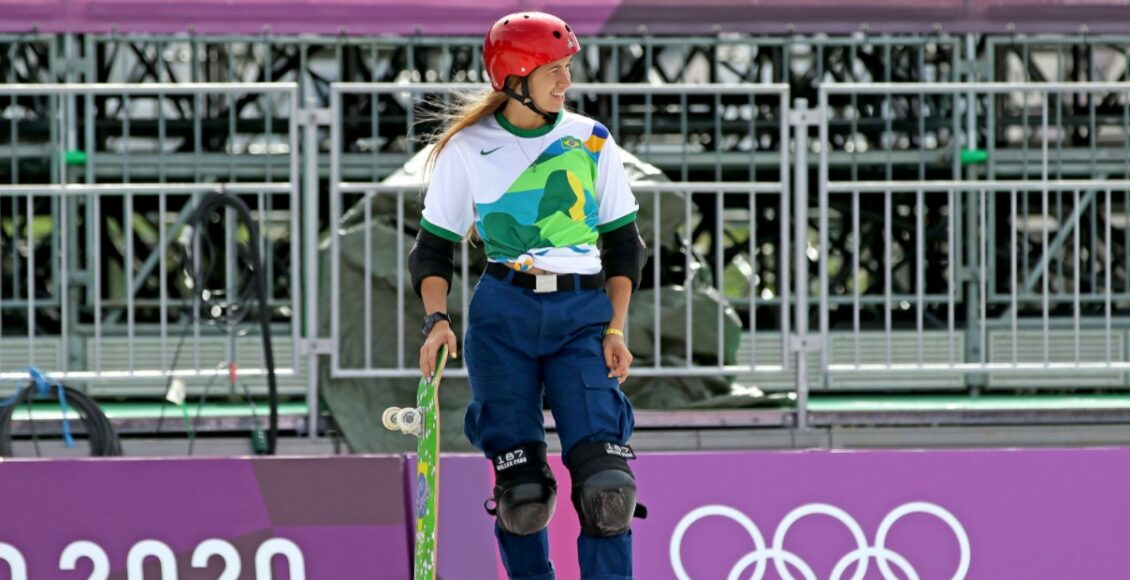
(196, 518)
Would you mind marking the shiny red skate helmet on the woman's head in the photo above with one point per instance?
(521, 42)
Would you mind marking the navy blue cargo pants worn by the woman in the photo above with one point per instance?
(519, 347)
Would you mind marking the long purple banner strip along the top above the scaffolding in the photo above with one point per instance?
(589, 18)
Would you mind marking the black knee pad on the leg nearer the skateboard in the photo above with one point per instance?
(526, 491)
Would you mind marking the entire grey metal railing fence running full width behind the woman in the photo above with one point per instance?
(971, 257)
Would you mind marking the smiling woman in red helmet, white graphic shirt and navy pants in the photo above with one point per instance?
(541, 186)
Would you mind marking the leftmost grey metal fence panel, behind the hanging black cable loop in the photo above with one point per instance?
(98, 283)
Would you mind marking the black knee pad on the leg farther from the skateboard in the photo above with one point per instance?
(604, 488)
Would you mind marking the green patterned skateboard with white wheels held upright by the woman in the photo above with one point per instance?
(423, 422)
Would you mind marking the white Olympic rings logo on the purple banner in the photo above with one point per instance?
(784, 559)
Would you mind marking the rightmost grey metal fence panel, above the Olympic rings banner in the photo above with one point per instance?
(1023, 283)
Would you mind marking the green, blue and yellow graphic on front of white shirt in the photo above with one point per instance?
(552, 205)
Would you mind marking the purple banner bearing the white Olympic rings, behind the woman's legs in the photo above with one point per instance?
(932, 515)
